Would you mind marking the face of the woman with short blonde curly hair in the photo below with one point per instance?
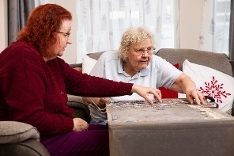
(139, 55)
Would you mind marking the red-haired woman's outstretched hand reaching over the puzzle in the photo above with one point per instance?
(145, 91)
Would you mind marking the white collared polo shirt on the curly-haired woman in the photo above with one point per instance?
(158, 73)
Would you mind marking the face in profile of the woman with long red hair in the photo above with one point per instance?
(63, 38)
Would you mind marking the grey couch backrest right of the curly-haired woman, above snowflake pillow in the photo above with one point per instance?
(218, 61)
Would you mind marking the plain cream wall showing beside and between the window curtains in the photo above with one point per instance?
(190, 22)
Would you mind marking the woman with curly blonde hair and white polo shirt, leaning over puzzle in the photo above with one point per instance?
(135, 63)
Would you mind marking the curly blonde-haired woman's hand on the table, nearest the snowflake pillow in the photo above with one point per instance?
(194, 96)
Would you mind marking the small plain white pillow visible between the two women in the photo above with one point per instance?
(87, 64)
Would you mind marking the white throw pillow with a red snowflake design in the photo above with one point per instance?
(213, 83)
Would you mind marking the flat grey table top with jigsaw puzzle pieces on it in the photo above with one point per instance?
(171, 110)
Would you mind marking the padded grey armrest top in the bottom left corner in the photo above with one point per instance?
(16, 132)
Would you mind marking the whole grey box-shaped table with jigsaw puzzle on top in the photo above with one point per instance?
(172, 128)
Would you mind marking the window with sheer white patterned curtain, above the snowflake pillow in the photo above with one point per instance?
(215, 28)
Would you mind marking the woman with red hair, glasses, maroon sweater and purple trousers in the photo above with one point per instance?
(35, 83)
